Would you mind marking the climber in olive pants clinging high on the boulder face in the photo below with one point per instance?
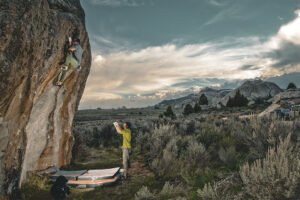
(72, 62)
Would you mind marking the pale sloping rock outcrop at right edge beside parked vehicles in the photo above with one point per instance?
(285, 99)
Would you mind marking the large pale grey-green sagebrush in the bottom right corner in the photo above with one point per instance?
(275, 177)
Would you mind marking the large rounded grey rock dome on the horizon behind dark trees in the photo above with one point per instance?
(253, 90)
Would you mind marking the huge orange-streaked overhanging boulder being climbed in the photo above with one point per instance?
(35, 116)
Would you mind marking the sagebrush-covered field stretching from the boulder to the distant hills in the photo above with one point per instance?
(212, 154)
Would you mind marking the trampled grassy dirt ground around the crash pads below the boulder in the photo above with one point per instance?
(100, 158)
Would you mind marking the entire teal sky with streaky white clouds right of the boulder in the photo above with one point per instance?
(145, 51)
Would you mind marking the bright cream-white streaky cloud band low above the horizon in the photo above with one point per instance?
(156, 70)
